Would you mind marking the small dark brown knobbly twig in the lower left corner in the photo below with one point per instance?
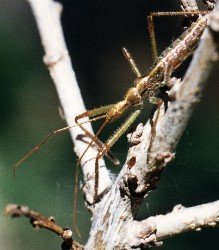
(39, 221)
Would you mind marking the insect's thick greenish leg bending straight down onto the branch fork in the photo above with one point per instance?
(118, 133)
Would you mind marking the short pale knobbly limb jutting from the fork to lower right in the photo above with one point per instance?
(154, 229)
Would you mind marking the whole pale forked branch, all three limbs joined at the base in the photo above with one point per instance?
(114, 225)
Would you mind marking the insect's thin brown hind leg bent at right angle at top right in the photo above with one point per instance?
(151, 26)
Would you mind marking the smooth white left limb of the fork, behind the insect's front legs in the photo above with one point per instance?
(47, 14)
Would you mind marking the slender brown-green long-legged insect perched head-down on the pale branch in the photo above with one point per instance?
(144, 86)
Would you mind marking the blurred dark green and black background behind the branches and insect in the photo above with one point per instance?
(95, 32)
